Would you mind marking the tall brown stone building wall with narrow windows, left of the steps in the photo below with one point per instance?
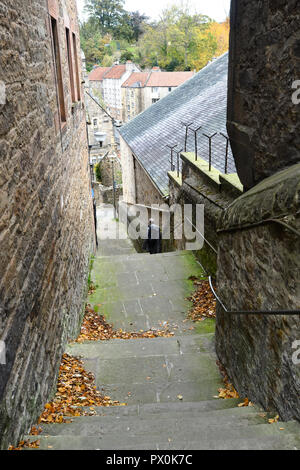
(46, 215)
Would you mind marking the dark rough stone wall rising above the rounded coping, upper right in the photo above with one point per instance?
(264, 63)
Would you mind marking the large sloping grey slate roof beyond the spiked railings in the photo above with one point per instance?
(201, 100)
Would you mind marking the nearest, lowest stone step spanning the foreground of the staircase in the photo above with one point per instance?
(254, 437)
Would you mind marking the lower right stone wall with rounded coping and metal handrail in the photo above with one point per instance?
(259, 269)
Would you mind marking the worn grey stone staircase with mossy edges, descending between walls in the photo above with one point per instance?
(170, 384)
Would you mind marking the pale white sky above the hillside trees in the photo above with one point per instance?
(216, 9)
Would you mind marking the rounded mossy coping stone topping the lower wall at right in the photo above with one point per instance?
(276, 196)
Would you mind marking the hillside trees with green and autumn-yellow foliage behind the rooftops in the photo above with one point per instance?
(179, 40)
